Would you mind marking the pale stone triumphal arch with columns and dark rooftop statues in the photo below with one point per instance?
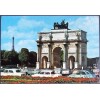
(62, 48)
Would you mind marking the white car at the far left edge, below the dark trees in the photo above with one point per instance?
(12, 72)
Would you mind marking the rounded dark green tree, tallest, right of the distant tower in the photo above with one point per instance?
(24, 56)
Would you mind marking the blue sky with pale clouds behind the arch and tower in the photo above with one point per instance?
(25, 29)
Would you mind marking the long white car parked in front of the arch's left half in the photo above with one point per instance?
(46, 73)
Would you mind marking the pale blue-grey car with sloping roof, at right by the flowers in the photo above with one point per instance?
(82, 74)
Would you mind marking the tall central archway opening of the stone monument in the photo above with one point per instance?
(57, 57)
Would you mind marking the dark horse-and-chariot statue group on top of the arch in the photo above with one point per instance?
(63, 25)
